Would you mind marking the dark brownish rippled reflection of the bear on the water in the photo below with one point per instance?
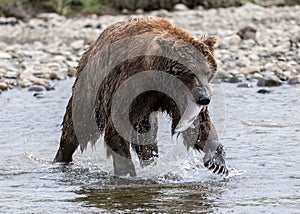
(103, 191)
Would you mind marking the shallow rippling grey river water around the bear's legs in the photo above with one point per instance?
(260, 134)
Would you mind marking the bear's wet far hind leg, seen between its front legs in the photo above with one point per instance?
(144, 140)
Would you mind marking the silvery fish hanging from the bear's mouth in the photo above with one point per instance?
(189, 116)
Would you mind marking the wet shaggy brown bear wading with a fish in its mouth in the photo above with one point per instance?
(133, 70)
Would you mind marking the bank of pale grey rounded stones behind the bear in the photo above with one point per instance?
(256, 45)
